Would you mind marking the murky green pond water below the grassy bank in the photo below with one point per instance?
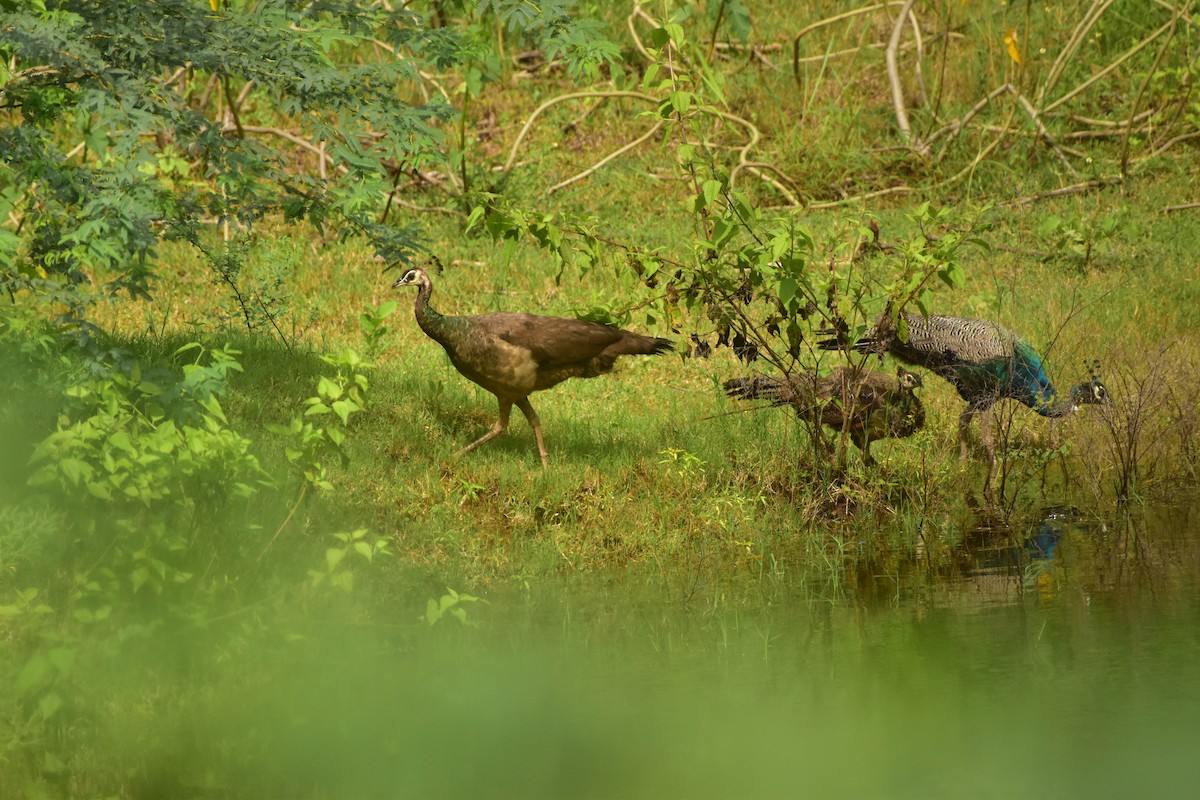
(1061, 661)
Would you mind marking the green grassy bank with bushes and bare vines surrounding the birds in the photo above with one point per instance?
(229, 452)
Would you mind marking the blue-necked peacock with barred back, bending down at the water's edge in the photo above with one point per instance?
(985, 362)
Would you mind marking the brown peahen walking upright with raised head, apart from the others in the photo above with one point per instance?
(514, 356)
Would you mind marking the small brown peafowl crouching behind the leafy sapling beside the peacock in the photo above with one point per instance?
(868, 405)
